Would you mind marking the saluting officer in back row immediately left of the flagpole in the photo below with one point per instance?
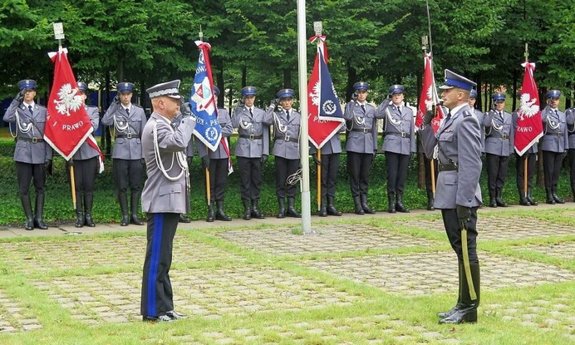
(286, 151)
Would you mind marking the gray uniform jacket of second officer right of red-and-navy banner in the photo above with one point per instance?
(398, 128)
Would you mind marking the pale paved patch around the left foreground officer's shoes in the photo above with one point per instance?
(210, 293)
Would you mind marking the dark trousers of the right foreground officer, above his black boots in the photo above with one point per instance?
(453, 230)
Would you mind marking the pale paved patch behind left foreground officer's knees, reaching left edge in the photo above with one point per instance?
(99, 252)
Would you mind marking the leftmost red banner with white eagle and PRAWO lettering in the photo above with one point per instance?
(67, 124)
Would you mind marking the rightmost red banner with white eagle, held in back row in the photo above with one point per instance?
(529, 127)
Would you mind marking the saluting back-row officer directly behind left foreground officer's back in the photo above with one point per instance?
(128, 120)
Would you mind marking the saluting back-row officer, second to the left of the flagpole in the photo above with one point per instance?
(253, 129)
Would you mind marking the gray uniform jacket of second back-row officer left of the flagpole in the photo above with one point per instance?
(253, 140)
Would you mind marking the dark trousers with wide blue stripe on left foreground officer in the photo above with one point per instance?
(157, 294)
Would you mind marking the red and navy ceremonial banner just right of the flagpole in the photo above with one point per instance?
(325, 115)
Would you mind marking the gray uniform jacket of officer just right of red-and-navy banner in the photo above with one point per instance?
(362, 136)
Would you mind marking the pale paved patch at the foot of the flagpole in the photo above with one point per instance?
(328, 240)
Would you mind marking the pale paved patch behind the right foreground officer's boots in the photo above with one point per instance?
(430, 273)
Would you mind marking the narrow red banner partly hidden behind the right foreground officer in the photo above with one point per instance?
(428, 97)
